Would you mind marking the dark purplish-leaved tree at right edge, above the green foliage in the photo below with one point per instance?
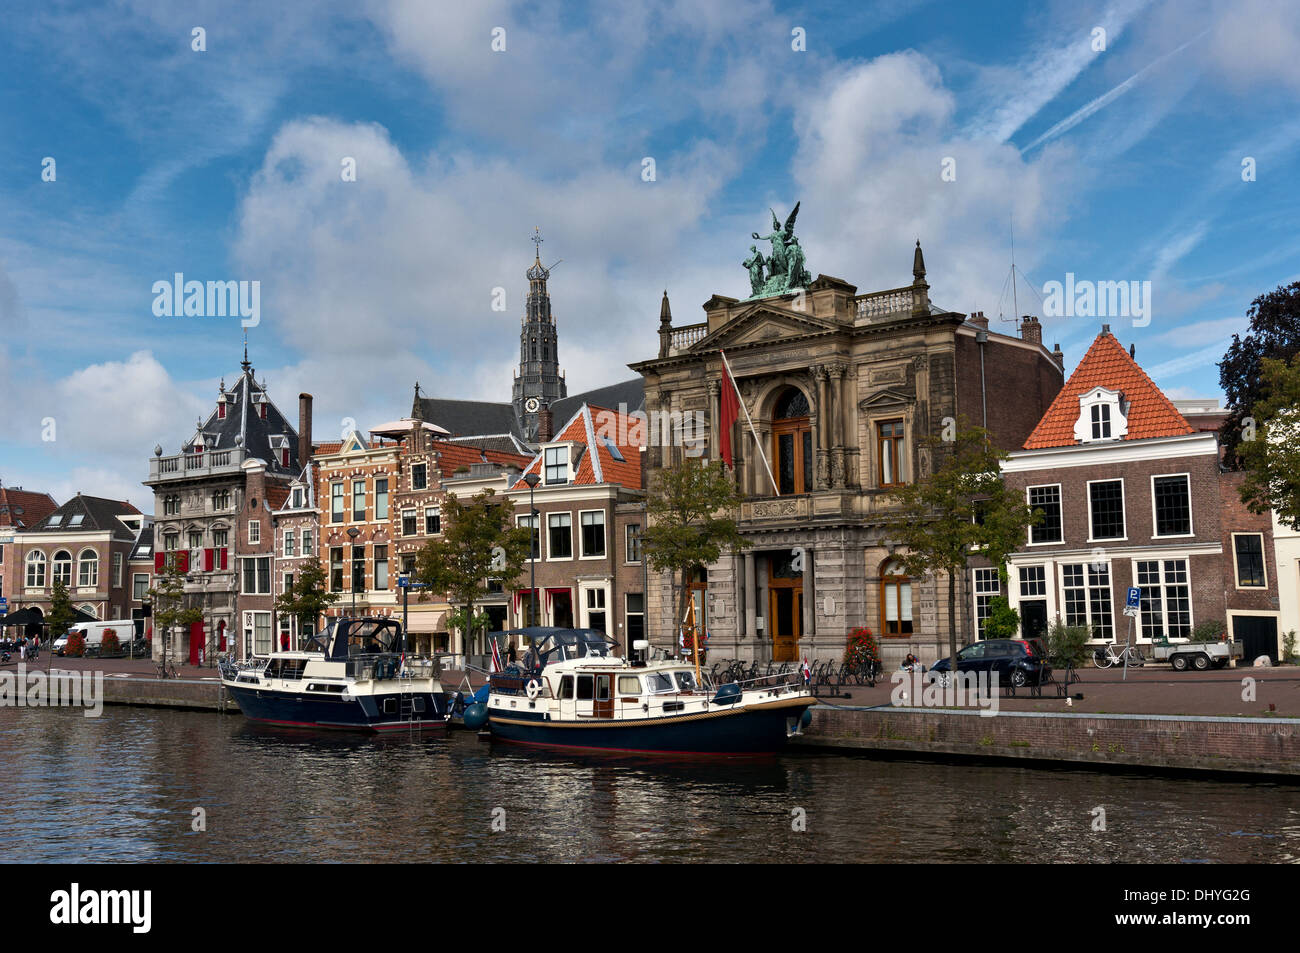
(1275, 333)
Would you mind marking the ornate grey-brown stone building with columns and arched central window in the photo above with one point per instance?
(843, 389)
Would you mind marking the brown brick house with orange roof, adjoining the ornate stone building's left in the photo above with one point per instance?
(591, 504)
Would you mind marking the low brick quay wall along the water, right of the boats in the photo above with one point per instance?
(1181, 743)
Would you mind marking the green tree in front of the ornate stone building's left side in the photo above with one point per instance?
(691, 514)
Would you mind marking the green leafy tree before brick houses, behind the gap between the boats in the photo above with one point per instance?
(479, 543)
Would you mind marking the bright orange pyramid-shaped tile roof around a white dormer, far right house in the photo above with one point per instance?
(1107, 365)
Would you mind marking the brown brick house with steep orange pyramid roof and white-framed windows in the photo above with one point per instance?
(1133, 496)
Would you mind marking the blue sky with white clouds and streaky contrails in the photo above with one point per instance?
(1136, 141)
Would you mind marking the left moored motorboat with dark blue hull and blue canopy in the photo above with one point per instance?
(353, 675)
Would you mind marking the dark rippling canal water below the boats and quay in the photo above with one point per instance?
(124, 787)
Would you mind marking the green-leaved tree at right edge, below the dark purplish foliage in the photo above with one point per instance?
(1272, 460)
